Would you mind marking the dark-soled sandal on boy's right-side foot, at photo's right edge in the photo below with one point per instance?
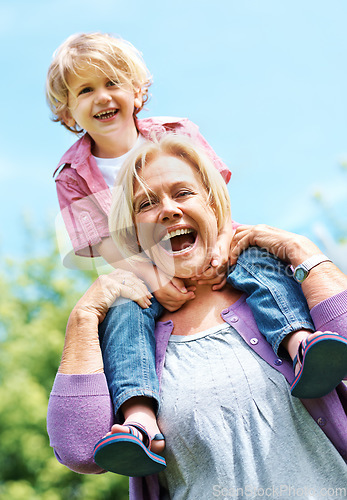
(323, 365)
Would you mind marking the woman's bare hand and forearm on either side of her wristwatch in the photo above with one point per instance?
(324, 281)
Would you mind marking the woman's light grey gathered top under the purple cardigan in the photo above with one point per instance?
(230, 422)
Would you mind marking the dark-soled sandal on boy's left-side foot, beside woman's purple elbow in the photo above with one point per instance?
(127, 454)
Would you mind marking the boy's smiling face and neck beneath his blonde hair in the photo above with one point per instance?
(103, 109)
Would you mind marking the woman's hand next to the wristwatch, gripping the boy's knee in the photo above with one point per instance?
(290, 247)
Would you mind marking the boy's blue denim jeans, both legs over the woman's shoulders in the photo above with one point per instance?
(127, 333)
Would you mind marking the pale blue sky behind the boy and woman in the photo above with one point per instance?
(265, 80)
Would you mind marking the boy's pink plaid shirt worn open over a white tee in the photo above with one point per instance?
(83, 194)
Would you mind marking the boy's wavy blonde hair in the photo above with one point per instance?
(115, 57)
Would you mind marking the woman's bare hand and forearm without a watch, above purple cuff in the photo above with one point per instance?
(82, 353)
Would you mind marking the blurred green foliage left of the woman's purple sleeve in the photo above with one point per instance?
(36, 297)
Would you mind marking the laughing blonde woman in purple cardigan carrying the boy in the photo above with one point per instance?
(225, 406)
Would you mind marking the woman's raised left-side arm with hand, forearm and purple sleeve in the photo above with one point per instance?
(80, 410)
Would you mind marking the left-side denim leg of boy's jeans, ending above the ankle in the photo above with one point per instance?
(128, 348)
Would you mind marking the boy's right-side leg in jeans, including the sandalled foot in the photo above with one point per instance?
(282, 315)
